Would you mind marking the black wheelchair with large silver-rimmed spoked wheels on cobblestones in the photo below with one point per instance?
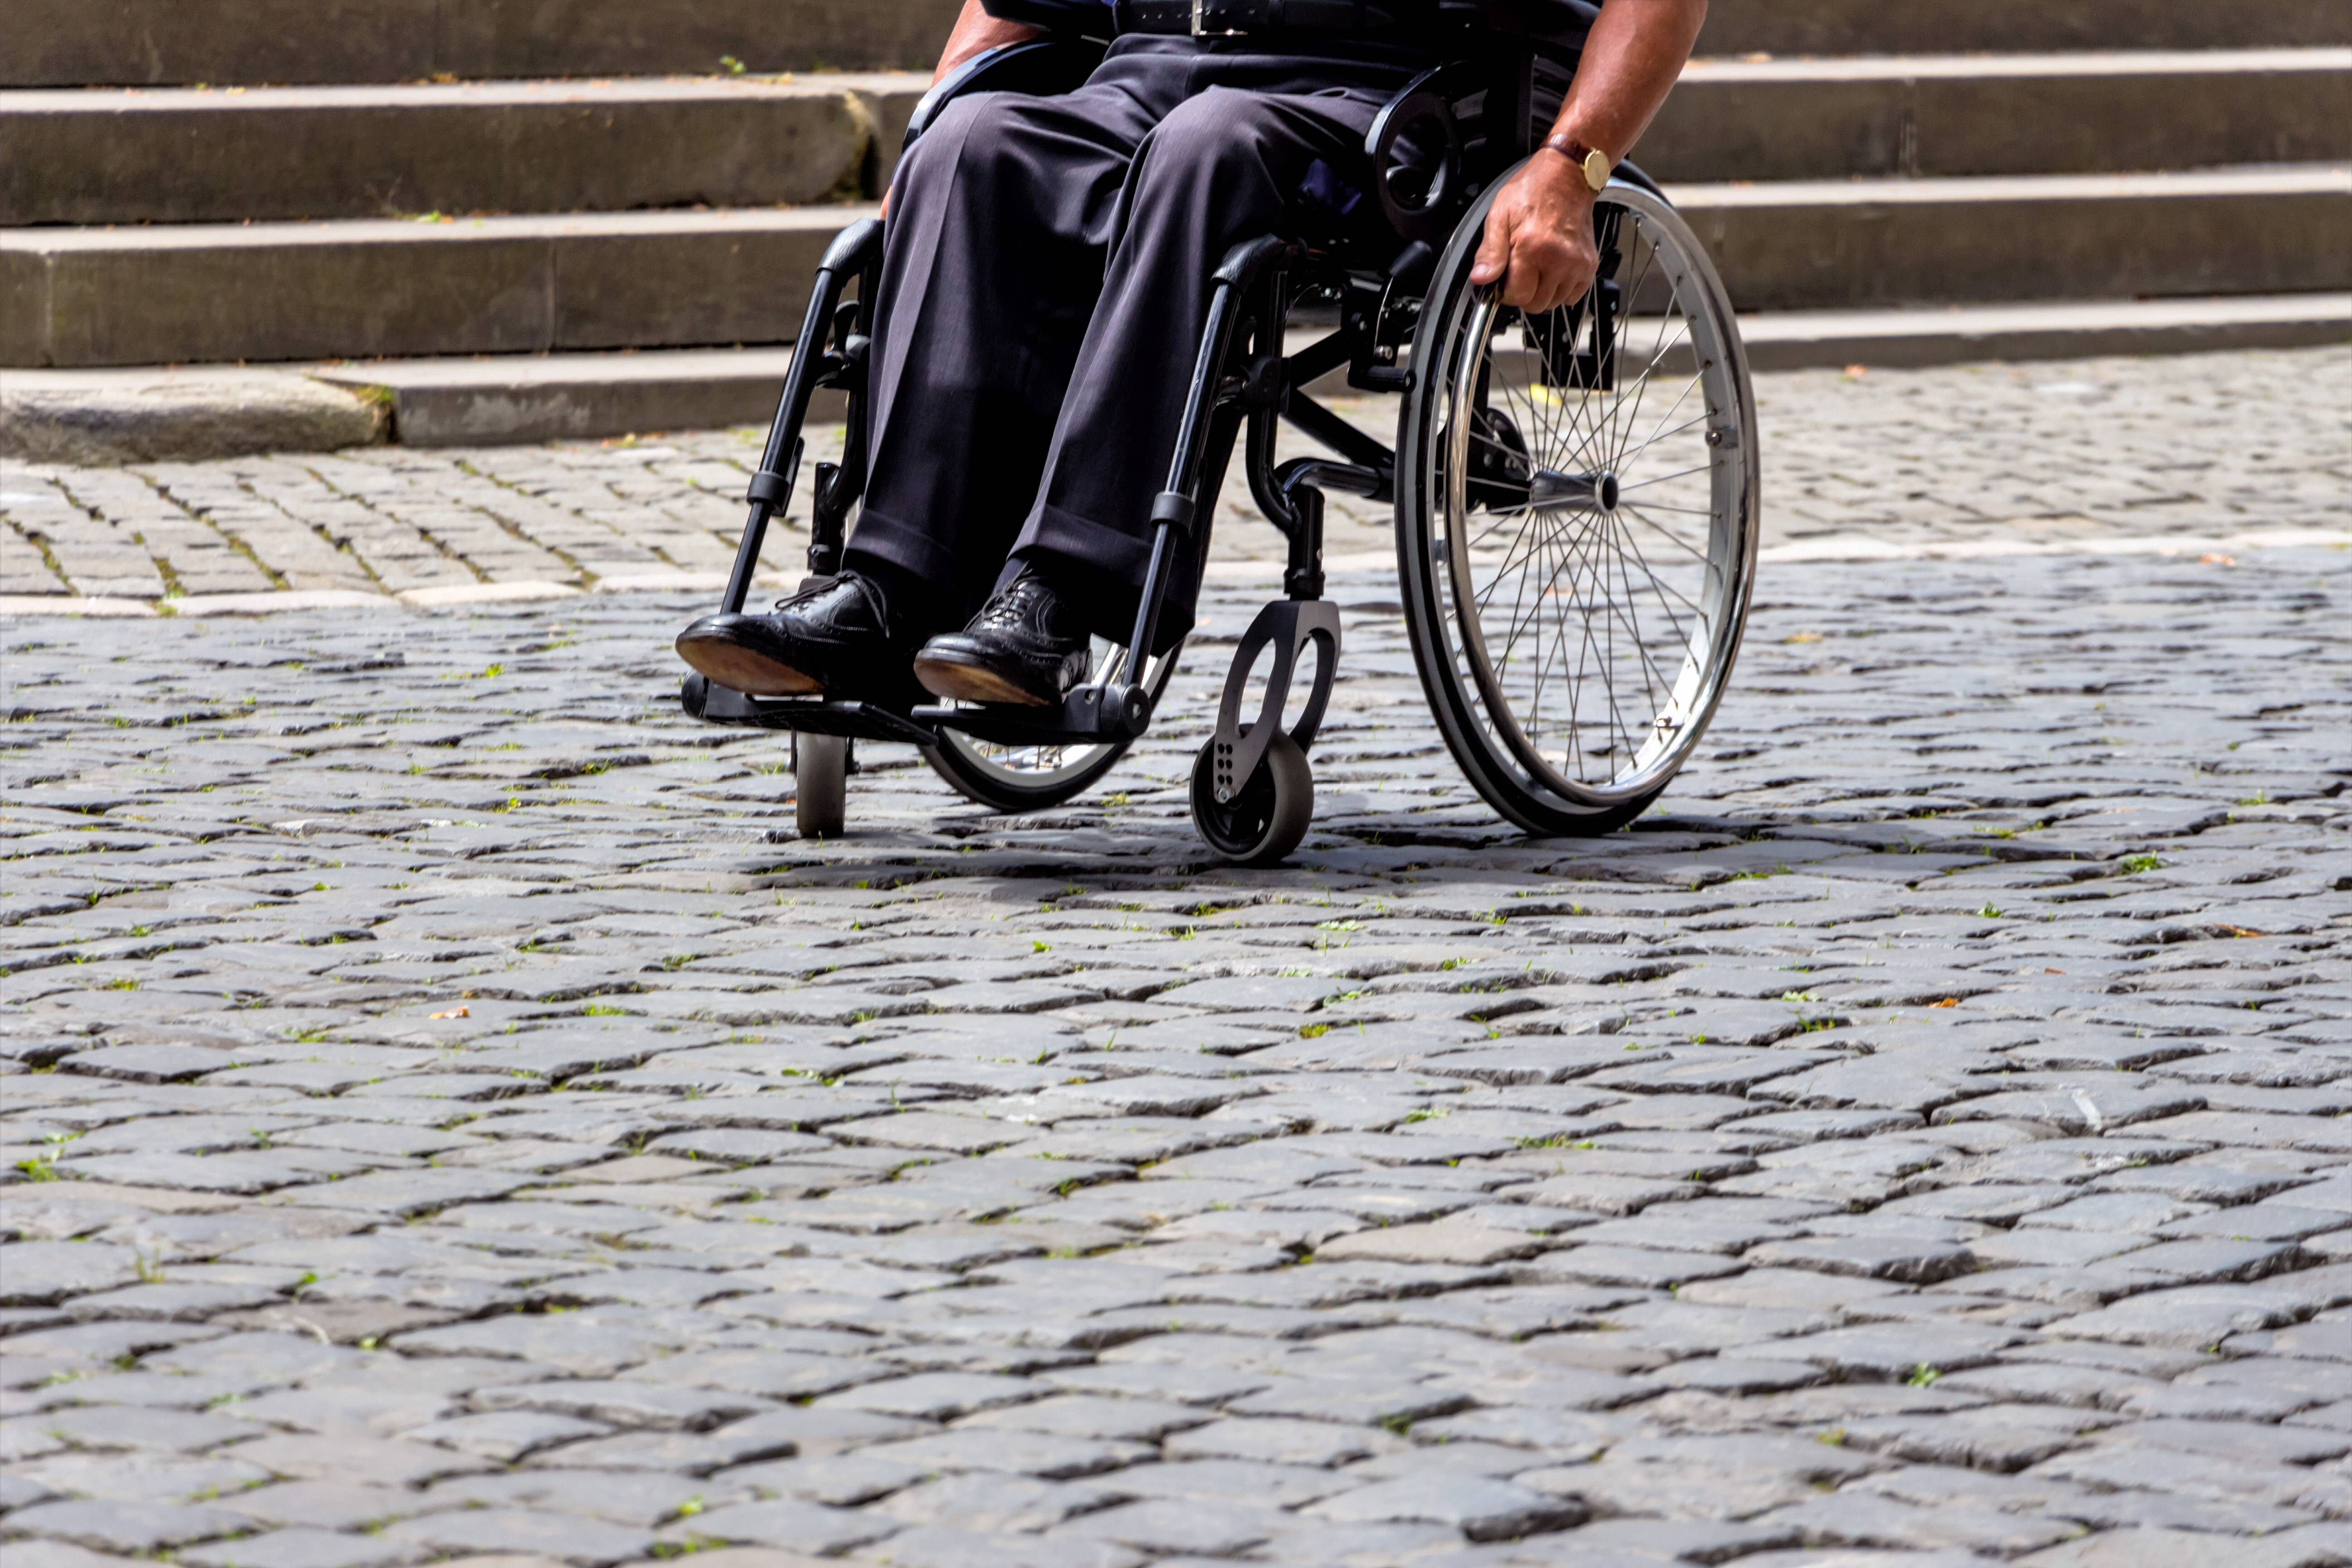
(1575, 492)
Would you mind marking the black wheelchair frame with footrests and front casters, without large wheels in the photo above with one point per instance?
(1243, 387)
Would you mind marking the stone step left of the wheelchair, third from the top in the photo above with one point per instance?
(382, 288)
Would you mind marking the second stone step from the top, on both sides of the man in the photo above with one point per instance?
(182, 156)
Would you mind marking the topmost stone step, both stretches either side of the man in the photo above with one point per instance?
(156, 43)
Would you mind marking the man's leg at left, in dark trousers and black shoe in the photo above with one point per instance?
(1001, 217)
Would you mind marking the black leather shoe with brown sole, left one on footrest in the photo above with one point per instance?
(831, 638)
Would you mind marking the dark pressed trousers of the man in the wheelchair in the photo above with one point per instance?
(1045, 283)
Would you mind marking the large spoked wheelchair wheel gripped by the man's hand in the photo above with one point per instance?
(1591, 549)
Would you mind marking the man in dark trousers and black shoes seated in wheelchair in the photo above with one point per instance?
(1043, 293)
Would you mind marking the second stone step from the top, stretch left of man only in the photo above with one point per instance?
(182, 156)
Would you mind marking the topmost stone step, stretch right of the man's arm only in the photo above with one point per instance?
(1984, 27)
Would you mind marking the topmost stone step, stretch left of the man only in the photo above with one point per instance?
(166, 43)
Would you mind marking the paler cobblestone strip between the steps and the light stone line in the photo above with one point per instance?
(2186, 453)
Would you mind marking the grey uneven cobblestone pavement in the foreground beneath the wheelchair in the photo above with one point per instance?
(450, 1113)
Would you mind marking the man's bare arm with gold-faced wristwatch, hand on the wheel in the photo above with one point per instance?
(1539, 232)
